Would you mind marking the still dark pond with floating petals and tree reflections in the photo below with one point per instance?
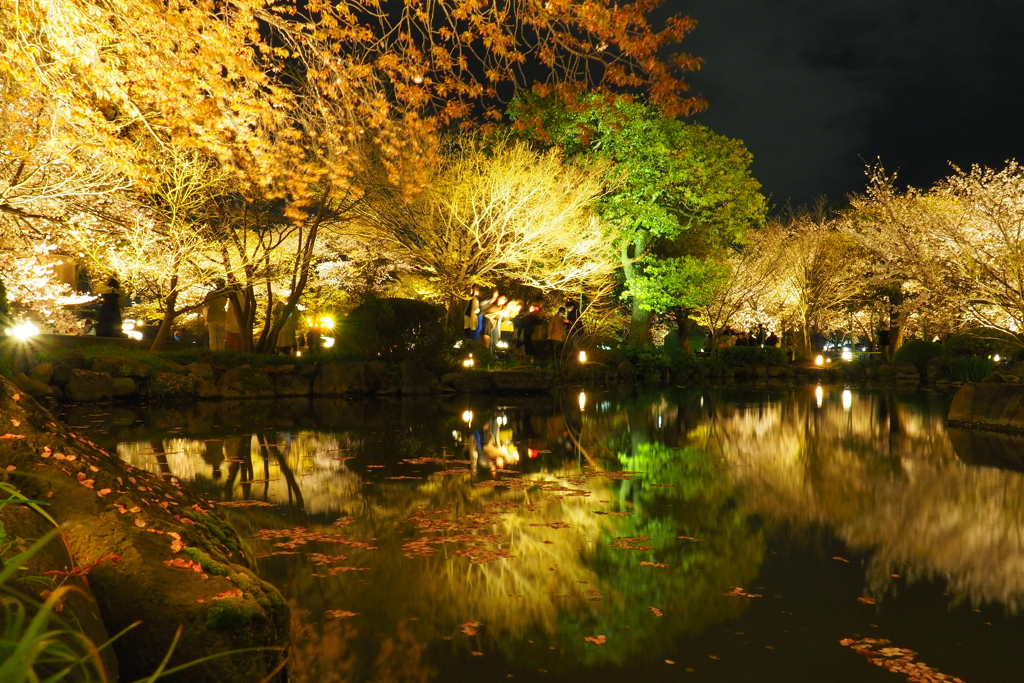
(716, 535)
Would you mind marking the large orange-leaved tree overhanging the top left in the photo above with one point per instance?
(294, 102)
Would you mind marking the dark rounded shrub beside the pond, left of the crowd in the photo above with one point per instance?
(395, 330)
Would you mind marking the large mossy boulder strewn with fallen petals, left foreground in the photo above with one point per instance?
(179, 562)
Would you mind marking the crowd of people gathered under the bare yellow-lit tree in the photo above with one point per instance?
(501, 323)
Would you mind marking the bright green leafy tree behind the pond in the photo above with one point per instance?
(679, 194)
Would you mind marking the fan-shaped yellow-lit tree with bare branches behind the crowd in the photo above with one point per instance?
(490, 212)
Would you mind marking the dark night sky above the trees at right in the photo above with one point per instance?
(818, 88)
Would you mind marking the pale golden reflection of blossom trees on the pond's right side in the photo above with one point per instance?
(884, 475)
